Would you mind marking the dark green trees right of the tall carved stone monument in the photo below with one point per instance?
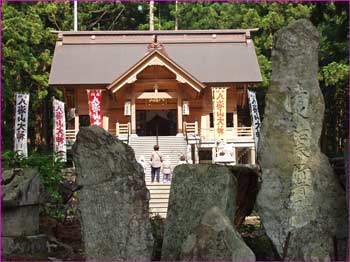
(332, 22)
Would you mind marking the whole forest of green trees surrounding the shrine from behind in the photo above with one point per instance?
(28, 45)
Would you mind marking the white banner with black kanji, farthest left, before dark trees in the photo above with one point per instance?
(21, 124)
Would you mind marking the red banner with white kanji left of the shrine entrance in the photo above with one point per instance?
(95, 107)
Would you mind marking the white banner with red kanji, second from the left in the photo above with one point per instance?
(59, 130)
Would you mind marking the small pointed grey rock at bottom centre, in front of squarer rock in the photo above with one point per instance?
(215, 239)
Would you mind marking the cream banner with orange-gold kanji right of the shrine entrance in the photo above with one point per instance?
(219, 113)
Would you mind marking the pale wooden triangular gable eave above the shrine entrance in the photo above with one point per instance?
(155, 58)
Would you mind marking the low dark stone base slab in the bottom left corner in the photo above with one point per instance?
(24, 245)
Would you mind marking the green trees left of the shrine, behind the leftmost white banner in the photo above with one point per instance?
(27, 49)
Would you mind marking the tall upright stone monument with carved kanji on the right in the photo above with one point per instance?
(298, 189)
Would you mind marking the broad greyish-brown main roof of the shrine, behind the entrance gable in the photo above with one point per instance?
(210, 56)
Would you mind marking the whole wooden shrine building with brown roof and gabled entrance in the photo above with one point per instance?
(158, 87)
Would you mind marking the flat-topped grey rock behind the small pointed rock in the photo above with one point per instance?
(195, 189)
